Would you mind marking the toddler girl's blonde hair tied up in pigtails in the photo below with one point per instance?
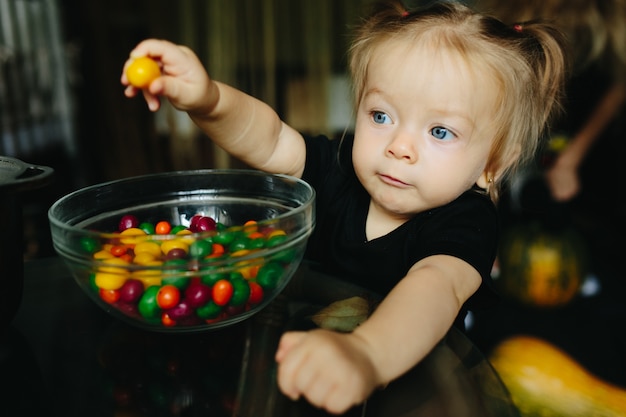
(527, 63)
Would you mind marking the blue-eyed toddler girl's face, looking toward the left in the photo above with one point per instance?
(423, 128)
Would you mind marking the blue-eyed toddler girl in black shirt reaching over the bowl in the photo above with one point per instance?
(448, 104)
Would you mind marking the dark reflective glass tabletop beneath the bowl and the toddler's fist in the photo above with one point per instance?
(63, 356)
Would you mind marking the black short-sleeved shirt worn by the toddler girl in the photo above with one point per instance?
(466, 228)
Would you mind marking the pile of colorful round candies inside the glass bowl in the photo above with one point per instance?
(167, 275)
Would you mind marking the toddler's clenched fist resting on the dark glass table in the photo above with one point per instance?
(331, 370)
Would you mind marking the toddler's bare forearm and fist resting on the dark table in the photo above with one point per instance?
(338, 370)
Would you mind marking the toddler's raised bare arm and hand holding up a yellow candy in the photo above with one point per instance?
(245, 127)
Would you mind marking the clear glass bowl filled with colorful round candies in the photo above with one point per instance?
(188, 250)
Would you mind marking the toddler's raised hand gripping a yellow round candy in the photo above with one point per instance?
(183, 81)
